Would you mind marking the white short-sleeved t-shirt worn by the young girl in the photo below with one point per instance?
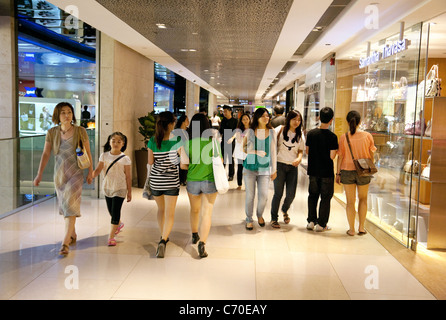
(114, 184)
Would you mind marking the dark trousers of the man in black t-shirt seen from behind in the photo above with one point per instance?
(323, 188)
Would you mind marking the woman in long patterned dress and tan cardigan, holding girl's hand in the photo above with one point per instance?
(68, 177)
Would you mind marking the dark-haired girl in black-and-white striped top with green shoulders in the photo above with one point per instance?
(164, 180)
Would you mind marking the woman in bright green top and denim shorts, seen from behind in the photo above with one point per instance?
(196, 157)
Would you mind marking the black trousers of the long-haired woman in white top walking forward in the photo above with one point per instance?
(286, 176)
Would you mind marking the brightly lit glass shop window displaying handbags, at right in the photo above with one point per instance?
(384, 90)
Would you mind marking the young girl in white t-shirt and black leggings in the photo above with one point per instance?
(117, 184)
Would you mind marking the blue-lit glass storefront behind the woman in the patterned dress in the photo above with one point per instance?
(56, 62)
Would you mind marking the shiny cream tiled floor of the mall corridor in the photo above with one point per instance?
(263, 264)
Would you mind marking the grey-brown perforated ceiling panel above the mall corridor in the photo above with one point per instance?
(233, 39)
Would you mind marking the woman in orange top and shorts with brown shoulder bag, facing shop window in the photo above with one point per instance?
(363, 146)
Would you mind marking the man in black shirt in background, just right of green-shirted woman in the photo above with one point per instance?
(227, 127)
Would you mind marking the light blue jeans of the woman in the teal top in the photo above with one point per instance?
(252, 178)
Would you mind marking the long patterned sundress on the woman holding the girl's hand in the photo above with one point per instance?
(68, 180)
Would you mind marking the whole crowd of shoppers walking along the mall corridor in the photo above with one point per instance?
(266, 150)
